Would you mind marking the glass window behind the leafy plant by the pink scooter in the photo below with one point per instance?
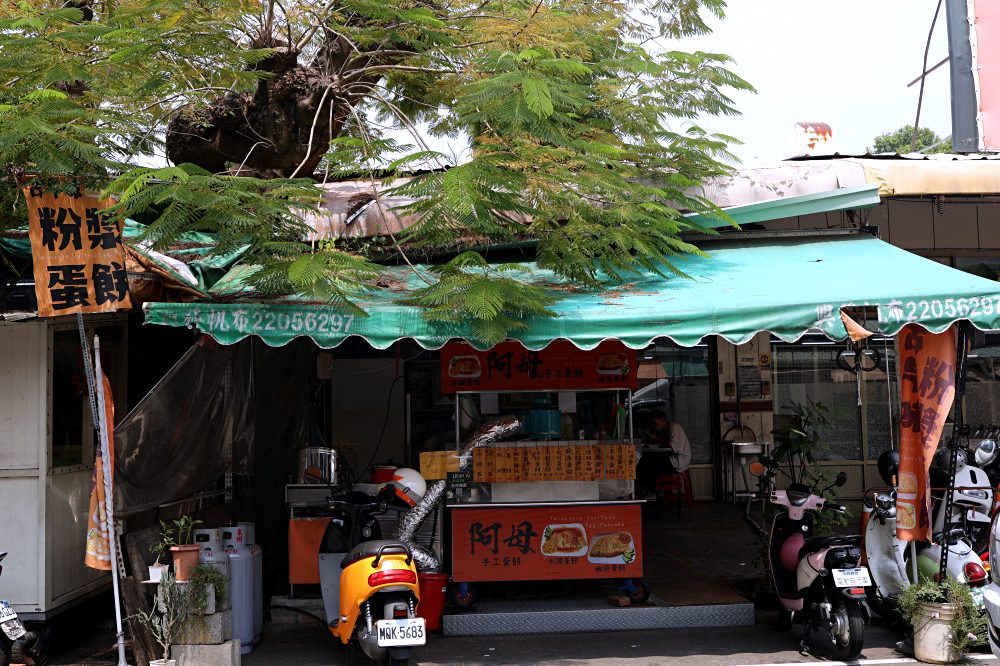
(808, 372)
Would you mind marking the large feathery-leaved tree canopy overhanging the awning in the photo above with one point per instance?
(583, 136)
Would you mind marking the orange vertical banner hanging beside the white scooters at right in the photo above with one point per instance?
(926, 369)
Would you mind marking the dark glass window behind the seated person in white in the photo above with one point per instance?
(676, 381)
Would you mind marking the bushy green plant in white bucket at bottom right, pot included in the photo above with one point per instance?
(945, 620)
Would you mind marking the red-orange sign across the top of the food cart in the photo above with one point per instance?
(510, 366)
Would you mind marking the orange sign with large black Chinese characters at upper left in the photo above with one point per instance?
(79, 264)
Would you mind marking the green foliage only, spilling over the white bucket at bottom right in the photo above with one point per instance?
(968, 628)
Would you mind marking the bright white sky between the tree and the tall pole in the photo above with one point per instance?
(845, 63)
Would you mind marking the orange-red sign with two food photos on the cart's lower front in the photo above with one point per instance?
(544, 543)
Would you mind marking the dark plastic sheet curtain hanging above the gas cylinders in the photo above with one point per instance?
(216, 399)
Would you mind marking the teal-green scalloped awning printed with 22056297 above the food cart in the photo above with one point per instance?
(786, 284)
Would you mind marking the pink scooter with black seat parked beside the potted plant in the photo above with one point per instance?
(818, 578)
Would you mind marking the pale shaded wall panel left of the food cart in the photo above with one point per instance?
(360, 397)
